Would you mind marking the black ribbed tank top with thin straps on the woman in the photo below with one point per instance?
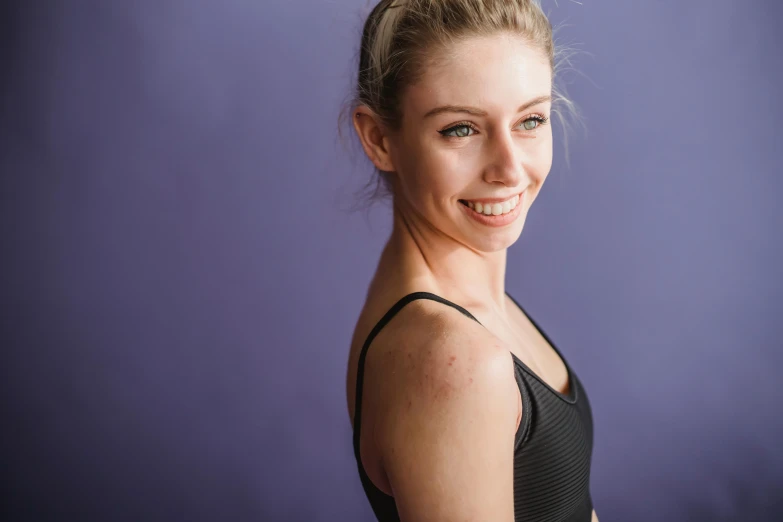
(553, 444)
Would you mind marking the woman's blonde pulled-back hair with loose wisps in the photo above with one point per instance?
(400, 38)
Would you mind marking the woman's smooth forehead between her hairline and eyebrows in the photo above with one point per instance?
(498, 72)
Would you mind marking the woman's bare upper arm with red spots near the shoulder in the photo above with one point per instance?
(448, 438)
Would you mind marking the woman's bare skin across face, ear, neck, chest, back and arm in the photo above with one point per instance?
(440, 402)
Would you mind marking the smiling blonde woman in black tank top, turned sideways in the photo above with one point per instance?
(462, 408)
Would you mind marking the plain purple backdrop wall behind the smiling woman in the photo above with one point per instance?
(180, 280)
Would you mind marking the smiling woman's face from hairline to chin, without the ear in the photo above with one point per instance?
(475, 129)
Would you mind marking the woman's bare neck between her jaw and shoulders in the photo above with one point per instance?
(428, 258)
